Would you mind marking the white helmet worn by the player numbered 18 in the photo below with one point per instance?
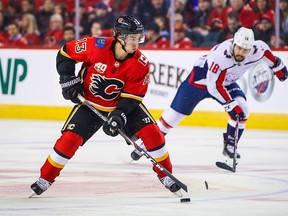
(244, 38)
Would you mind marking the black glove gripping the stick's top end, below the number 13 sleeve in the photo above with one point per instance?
(71, 87)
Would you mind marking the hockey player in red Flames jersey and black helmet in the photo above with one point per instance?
(114, 78)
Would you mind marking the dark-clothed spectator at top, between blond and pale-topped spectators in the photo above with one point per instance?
(43, 17)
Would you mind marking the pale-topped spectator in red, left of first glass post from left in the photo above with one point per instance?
(55, 33)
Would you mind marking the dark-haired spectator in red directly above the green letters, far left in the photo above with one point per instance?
(15, 38)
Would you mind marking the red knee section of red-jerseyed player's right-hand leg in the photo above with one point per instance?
(151, 136)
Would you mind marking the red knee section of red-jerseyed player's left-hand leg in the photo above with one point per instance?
(68, 144)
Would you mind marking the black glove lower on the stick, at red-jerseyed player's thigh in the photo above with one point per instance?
(116, 121)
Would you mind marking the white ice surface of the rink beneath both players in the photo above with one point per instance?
(99, 180)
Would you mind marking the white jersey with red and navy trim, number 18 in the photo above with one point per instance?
(218, 68)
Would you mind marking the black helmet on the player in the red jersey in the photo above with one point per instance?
(129, 25)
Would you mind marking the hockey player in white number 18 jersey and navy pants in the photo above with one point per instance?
(214, 76)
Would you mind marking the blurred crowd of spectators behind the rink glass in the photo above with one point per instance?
(197, 23)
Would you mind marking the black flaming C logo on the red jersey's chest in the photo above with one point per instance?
(106, 88)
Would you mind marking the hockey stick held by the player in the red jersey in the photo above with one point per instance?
(147, 155)
